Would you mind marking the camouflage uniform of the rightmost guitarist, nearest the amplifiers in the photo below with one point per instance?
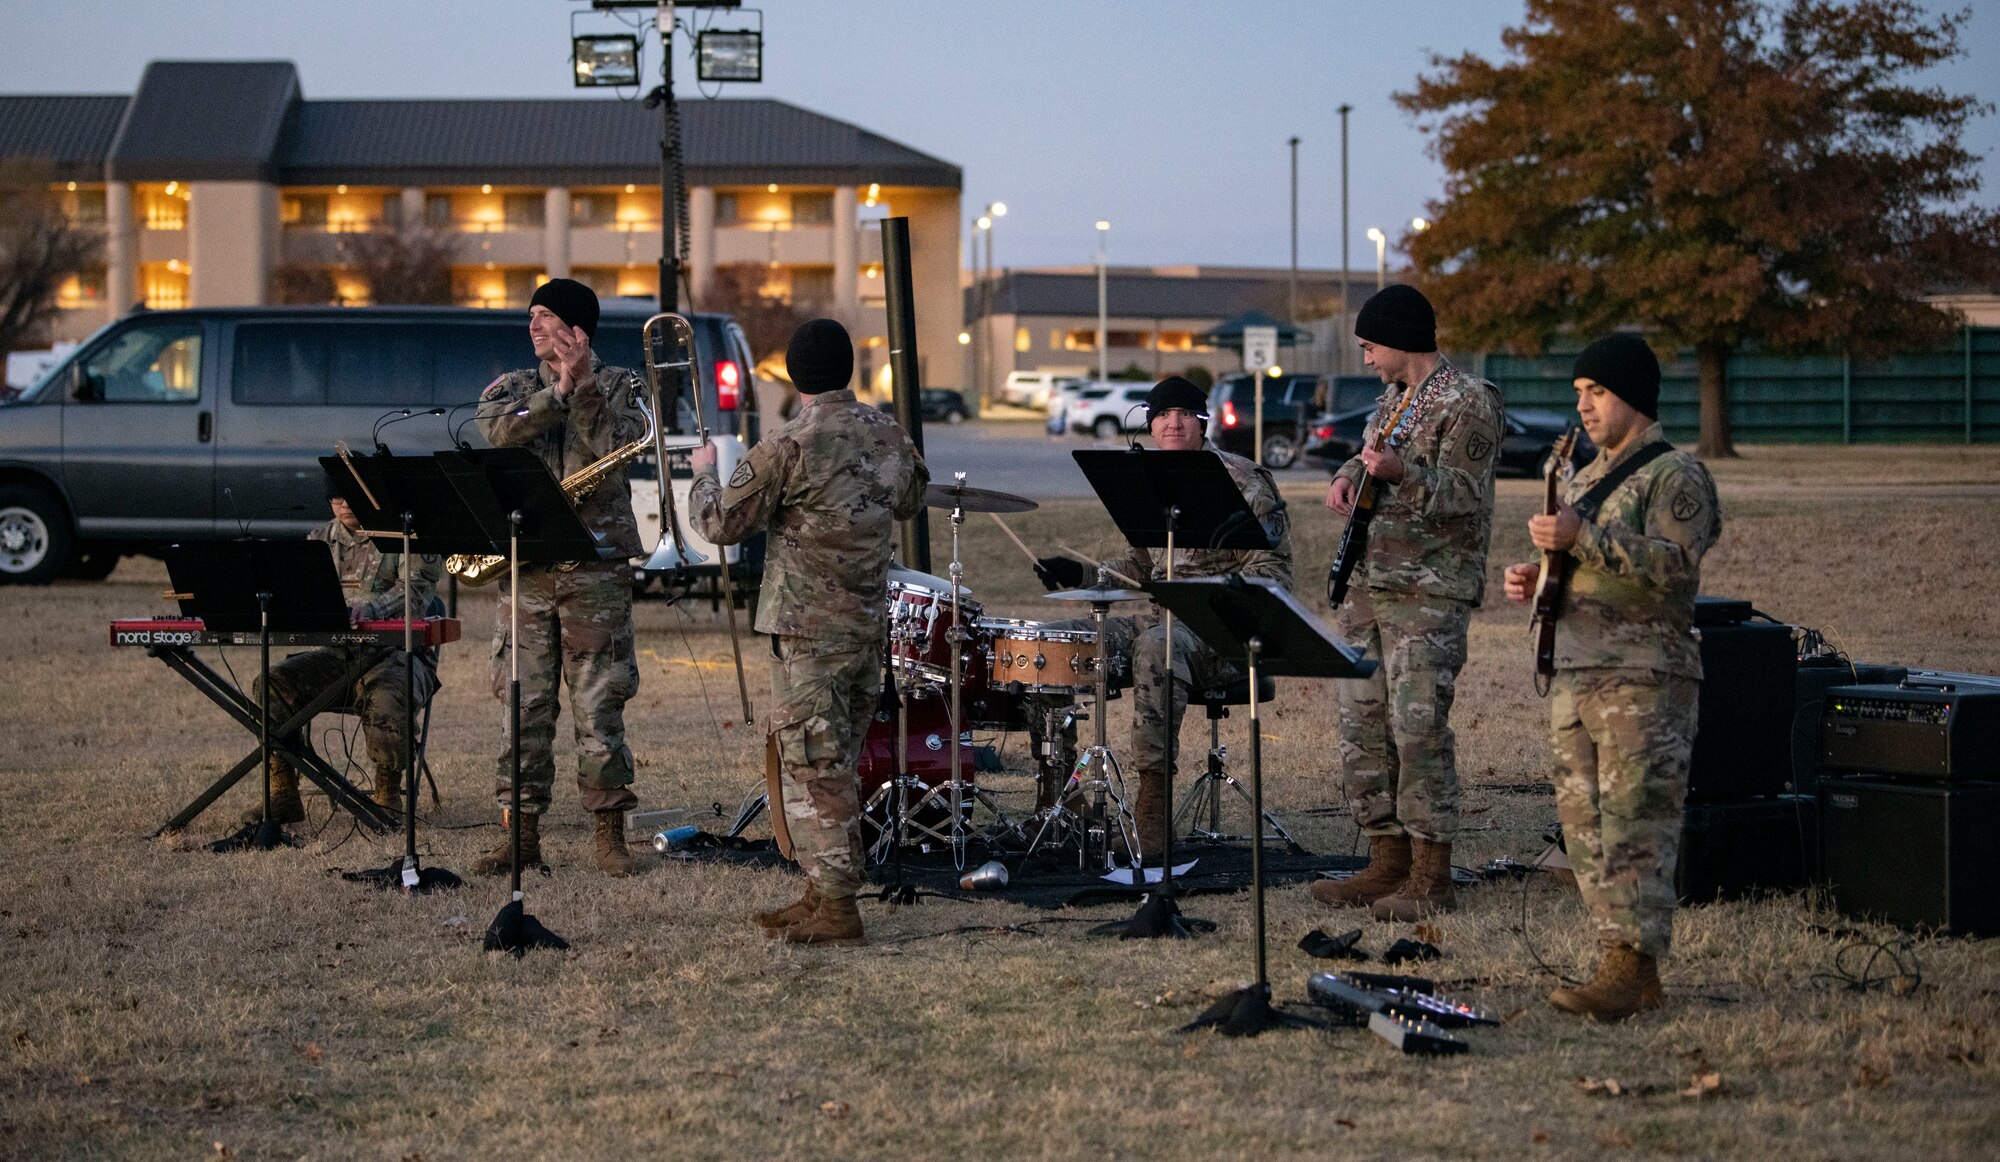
(1625, 693)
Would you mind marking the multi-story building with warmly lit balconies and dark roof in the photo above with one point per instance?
(219, 183)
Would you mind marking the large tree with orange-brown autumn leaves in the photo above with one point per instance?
(1719, 173)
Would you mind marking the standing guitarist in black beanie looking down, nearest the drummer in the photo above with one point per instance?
(1409, 605)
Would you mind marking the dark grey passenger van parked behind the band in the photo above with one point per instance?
(207, 425)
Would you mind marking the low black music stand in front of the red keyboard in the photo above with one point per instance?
(233, 587)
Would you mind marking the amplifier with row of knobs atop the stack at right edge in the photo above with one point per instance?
(1937, 729)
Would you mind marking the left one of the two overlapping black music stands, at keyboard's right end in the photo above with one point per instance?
(413, 495)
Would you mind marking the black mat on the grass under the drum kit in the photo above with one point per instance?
(1049, 879)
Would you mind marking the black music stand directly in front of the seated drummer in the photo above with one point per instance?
(1167, 501)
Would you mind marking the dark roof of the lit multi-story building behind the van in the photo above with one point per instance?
(249, 121)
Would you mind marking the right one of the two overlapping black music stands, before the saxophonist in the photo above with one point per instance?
(527, 517)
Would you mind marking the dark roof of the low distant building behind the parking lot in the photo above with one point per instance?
(1129, 295)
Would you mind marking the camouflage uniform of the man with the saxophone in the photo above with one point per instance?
(575, 625)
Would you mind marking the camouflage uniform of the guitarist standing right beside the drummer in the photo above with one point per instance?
(1411, 603)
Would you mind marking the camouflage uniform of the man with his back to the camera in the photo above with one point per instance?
(831, 487)
